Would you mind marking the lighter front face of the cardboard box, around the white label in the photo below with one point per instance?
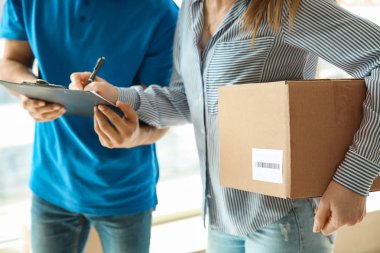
(238, 138)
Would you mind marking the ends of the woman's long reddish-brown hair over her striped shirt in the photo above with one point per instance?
(272, 10)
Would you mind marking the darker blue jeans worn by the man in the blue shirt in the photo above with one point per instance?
(60, 231)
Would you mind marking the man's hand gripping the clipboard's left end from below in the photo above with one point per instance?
(42, 111)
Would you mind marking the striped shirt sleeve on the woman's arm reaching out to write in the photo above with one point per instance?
(161, 106)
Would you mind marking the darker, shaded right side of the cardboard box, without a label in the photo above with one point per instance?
(324, 118)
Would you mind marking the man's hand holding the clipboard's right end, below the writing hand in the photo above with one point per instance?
(125, 131)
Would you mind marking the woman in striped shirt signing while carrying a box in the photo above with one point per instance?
(225, 42)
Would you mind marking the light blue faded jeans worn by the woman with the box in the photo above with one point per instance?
(291, 234)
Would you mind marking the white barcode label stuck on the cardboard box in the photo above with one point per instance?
(267, 165)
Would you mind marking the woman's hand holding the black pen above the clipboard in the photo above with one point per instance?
(100, 86)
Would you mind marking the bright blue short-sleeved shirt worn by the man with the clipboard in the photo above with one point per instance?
(70, 167)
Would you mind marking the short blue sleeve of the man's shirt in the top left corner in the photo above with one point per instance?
(12, 21)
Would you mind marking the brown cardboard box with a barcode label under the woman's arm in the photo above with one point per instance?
(286, 139)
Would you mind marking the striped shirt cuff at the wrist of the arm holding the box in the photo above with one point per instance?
(356, 173)
